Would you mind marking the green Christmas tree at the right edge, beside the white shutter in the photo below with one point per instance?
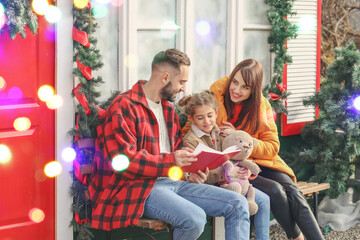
(335, 135)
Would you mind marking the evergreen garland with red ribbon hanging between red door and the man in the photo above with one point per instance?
(85, 56)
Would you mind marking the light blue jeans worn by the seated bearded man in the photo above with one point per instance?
(185, 205)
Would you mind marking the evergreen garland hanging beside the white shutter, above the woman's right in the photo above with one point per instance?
(282, 30)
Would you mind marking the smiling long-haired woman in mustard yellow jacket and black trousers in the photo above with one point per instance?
(242, 106)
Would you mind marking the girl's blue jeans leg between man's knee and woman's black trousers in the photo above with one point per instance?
(262, 217)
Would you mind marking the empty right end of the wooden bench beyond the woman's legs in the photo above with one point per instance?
(312, 189)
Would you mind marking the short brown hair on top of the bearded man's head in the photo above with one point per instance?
(172, 56)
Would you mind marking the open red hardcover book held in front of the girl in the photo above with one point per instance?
(211, 158)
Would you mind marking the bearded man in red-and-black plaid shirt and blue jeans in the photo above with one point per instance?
(144, 126)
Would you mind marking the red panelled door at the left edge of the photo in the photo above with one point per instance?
(25, 65)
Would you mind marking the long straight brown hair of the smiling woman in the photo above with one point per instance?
(249, 116)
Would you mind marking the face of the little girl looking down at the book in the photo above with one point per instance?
(204, 118)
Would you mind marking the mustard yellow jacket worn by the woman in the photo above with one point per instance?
(266, 153)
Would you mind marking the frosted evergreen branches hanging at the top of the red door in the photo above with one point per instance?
(19, 14)
